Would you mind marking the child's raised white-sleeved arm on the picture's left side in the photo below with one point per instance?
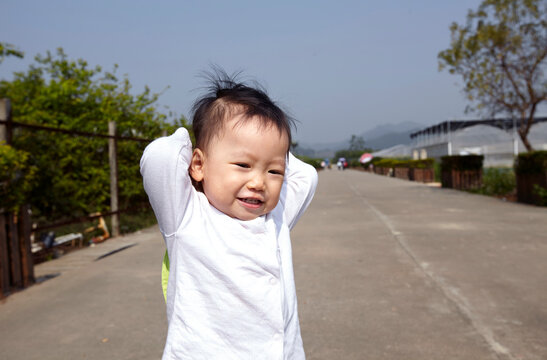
(164, 168)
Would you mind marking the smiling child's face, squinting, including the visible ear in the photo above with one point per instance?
(242, 170)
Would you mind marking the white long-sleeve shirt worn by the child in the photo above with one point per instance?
(231, 292)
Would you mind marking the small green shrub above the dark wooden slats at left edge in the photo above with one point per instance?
(16, 175)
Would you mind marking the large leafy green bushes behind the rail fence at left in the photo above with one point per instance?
(73, 172)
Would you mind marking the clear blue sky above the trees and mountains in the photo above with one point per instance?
(340, 67)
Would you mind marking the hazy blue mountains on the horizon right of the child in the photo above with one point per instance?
(379, 137)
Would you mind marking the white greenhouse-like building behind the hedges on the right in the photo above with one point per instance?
(496, 139)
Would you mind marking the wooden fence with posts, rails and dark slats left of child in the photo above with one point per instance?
(16, 260)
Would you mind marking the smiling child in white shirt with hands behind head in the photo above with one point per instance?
(225, 211)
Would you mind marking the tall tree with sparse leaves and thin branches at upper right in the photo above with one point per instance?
(501, 54)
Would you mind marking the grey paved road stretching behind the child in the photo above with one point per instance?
(385, 269)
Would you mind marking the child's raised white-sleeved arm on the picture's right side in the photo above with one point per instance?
(298, 189)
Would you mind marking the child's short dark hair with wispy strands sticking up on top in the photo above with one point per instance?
(226, 97)
